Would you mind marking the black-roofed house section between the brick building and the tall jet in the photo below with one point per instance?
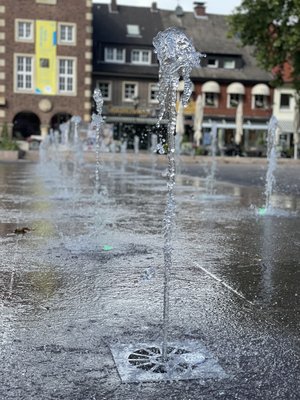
(125, 67)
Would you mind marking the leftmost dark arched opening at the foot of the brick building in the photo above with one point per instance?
(26, 124)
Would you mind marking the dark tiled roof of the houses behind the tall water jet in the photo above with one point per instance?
(209, 35)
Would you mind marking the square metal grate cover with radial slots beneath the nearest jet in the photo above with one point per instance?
(142, 362)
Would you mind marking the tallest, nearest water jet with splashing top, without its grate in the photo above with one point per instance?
(177, 57)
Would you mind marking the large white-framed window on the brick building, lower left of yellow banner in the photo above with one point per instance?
(24, 73)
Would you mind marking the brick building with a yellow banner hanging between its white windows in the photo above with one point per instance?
(45, 63)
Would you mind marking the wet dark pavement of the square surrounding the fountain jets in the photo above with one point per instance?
(88, 275)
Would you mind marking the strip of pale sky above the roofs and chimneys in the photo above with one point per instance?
(212, 6)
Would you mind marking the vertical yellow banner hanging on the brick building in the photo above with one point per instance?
(45, 52)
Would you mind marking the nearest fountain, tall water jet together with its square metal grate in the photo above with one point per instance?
(184, 359)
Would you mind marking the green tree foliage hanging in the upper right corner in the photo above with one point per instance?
(273, 28)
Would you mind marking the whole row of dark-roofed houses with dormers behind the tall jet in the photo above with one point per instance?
(229, 81)
